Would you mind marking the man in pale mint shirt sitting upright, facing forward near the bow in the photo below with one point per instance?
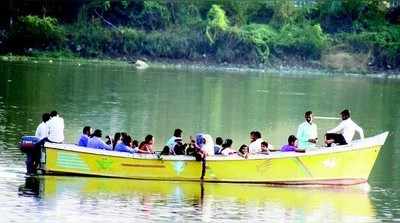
(307, 132)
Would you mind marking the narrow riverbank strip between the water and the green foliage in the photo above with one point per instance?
(281, 68)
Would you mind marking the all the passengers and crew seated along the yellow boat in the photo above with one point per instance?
(202, 145)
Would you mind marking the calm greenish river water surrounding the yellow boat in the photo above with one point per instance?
(227, 104)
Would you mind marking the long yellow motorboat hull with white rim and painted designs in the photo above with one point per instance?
(340, 165)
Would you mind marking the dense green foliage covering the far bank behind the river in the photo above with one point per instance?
(247, 32)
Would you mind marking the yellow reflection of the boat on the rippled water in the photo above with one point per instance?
(164, 200)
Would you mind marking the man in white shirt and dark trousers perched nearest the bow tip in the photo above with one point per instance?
(344, 132)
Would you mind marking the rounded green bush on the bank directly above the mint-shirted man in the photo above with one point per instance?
(306, 41)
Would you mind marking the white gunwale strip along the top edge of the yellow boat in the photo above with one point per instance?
(355, 145)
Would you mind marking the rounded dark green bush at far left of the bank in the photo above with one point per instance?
(35, 32)
